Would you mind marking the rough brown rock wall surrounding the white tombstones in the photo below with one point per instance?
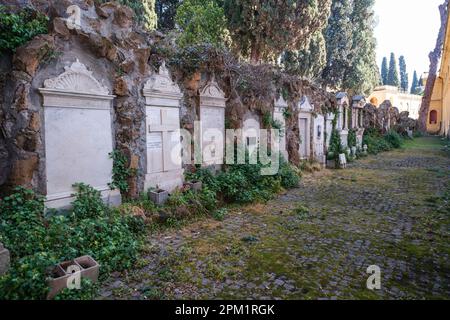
(123, 57)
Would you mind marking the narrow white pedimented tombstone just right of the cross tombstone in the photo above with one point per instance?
(212, 117)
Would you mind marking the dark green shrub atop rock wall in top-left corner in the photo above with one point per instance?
(18, 28)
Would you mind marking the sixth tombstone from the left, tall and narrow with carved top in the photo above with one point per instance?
(304, 124)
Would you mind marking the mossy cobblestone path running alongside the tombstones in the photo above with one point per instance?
(315, 242)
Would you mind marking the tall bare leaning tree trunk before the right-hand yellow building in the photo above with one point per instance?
(434, 56)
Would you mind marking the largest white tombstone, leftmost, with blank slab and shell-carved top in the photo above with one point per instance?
(78, 136)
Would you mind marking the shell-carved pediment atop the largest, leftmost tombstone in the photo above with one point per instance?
(77, 78)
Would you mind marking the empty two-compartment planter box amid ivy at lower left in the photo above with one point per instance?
(58, 282)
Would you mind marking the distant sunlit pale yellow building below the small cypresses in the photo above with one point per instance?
(403, 101)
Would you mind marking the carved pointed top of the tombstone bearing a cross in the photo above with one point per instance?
(160, 90)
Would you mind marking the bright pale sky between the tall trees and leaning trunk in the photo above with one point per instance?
(409, 28)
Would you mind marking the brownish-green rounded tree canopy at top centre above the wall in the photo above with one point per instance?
(263, 29)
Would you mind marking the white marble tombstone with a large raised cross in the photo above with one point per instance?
(163, 138)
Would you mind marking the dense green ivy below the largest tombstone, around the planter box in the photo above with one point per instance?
(37, 242)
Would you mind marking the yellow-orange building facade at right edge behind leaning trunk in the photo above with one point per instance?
(438, 120)
